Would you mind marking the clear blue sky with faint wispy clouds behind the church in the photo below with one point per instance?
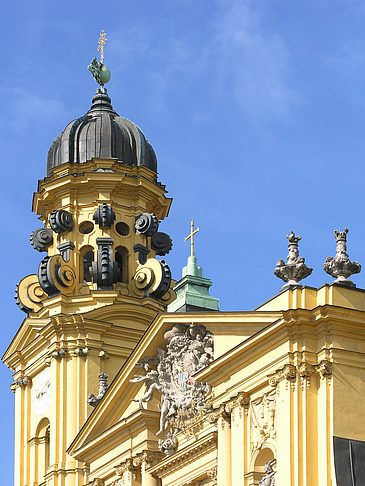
(256, 111)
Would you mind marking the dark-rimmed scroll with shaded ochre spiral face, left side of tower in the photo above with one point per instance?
(56, 276)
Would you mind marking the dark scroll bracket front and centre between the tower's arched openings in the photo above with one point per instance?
(105, 271)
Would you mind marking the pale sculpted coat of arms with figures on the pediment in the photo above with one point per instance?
(170, 372)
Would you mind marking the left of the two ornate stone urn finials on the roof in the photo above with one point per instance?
(294, 269)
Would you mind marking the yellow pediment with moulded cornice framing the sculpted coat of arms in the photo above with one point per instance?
(120, 402)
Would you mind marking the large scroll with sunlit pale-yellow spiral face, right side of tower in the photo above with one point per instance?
(154, 277)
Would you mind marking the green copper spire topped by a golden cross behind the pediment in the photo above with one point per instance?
(192, 291)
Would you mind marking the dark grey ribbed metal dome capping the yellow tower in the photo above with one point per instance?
(101, 133)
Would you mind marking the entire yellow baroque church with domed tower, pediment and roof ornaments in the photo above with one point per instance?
(123, 376)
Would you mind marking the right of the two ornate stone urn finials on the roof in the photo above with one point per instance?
(340, 267)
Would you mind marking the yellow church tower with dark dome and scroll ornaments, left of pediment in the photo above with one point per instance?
(98, 286)
